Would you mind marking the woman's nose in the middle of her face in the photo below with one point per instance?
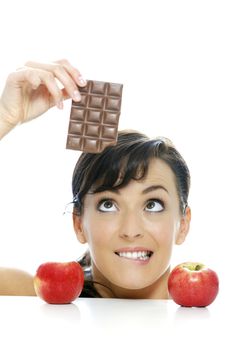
(130, 227)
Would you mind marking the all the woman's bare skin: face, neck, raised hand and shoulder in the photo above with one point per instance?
(111, 221)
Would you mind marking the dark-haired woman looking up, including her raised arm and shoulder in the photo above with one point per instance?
(130, 201)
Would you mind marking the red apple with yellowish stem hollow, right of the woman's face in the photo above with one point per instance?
(193, 284)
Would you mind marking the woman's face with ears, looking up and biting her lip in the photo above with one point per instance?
(131, 231)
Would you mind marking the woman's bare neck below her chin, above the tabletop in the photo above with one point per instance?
(158, 290)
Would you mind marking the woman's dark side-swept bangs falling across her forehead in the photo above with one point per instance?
(116, 166)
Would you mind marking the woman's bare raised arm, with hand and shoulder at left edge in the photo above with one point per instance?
(28, 93)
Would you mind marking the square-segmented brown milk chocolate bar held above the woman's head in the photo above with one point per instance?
(94, 120)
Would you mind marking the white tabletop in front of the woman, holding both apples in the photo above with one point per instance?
(30, 323)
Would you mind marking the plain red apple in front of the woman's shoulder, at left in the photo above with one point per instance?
(59, 283)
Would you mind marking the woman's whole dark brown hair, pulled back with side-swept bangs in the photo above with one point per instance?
(117, 165)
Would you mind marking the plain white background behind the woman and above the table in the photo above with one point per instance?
(175, 59)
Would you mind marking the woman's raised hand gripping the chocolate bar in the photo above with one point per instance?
(33, 89)
